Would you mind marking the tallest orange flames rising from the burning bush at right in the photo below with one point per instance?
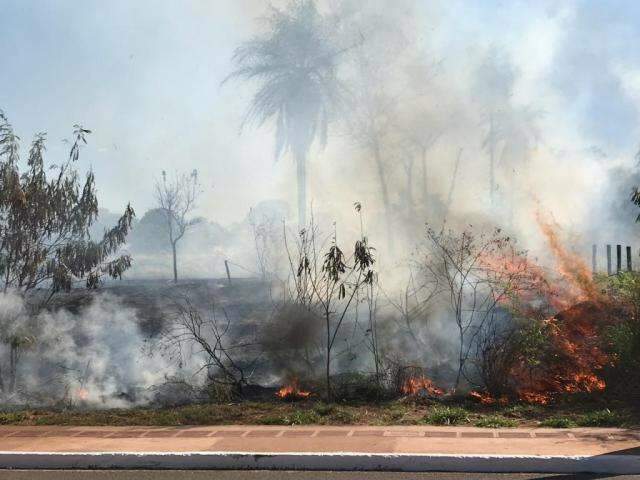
(574, 357)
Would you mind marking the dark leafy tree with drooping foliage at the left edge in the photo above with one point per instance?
(45, 221)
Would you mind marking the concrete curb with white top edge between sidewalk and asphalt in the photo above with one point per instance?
(339, 461)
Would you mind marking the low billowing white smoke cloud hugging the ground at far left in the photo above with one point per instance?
(97, 356)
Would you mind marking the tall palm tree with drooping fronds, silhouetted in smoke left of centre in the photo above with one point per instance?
(294, 65)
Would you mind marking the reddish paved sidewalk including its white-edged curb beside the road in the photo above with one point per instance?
(410, 448)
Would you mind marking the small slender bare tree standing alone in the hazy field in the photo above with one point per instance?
(177, 199)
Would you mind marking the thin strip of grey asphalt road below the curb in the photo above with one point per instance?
(264, 475)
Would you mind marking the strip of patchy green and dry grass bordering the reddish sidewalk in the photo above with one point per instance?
(563, 415)
